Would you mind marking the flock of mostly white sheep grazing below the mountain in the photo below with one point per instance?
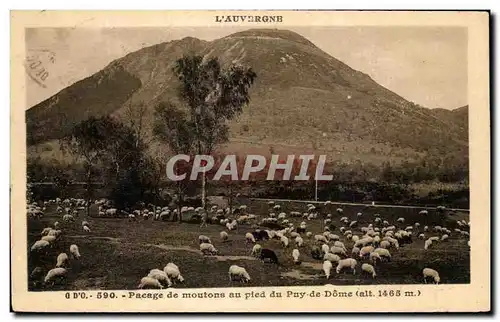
(369, 245)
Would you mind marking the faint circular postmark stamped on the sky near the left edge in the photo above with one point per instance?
(38, 64)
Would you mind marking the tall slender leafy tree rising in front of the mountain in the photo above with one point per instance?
(213, 95)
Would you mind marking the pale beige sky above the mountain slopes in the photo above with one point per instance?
(426, 65)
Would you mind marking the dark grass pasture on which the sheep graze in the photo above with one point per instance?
(118, 253)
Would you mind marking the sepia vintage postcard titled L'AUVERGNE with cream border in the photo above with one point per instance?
(250, 161)
